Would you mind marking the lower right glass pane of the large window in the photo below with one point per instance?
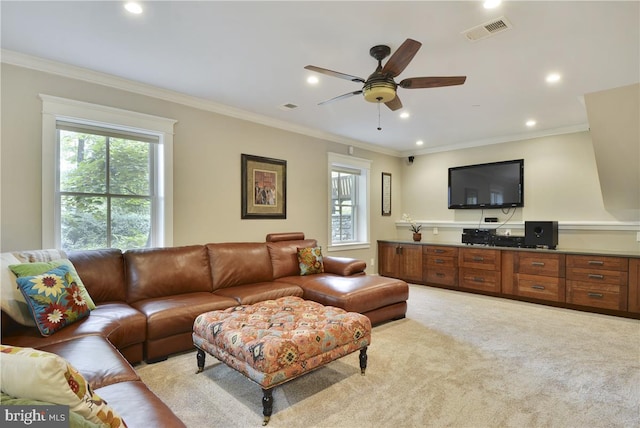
(130, 222)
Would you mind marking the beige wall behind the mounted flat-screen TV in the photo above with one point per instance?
(561, 183)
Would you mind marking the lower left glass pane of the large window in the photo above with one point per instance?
(83, 222)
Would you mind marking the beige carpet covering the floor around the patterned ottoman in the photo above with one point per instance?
(457, 360)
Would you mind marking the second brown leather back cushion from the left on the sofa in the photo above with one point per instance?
(160, 272)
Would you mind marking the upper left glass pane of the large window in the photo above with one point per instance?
(82, 162)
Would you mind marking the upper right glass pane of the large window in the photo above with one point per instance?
(129, 167)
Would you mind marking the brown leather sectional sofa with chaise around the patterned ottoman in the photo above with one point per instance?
(146, 302)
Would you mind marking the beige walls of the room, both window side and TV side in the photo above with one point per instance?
(561, 176)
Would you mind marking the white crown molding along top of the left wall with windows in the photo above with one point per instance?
(104, 79)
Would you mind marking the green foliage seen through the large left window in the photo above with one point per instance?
(105, 191)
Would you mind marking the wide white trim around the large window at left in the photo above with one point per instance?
(56, 108)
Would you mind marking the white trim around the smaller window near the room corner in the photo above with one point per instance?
(364, 165)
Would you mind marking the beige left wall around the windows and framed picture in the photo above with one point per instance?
(207, 148)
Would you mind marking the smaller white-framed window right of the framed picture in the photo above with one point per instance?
(349, 204)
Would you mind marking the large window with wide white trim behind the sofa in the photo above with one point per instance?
(106, 177)
